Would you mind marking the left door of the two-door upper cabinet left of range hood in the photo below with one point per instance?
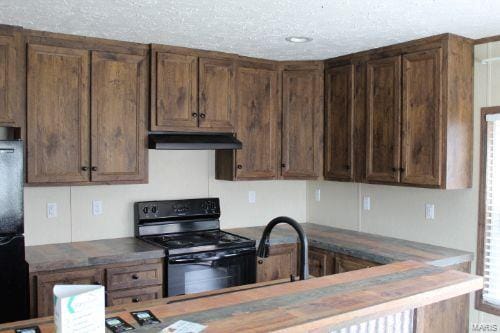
(58, 114)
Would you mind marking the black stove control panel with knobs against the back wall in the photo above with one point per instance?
(172, 209)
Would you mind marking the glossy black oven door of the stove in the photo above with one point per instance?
(194, 273)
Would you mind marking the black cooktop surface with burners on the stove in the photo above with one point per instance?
(215, 238)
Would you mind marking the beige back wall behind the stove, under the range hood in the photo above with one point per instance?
(173, 175)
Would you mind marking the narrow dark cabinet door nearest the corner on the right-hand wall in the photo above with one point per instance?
(339, 119)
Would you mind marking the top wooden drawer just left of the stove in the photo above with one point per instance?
(133, 276)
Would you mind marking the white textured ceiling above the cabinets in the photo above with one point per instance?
(259, 27)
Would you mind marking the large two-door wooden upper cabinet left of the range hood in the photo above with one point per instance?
(86, 110)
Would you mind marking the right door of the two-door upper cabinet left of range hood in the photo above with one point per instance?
(119, 109)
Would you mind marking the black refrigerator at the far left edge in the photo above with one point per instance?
(13, 267)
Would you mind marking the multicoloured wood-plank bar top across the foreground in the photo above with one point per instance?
(319, 304)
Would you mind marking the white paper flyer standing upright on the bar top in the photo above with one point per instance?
(79, 308)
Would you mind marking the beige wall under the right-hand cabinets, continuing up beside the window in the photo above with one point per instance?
(400, 211)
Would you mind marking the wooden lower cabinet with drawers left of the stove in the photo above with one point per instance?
(124, 283)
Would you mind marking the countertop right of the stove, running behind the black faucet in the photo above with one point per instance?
(379, 249)
